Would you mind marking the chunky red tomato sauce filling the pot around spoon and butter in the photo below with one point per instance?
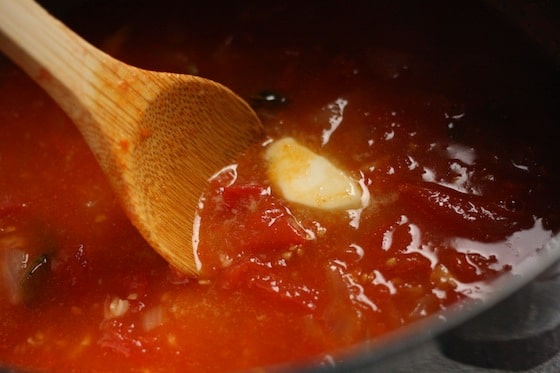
(448, 126)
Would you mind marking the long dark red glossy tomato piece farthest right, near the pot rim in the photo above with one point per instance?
(470, 216)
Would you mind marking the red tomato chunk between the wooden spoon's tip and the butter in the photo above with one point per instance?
(251, 221)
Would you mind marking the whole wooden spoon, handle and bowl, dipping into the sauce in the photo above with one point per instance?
(157, 136)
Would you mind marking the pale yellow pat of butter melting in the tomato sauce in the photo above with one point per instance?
(305, 177)
